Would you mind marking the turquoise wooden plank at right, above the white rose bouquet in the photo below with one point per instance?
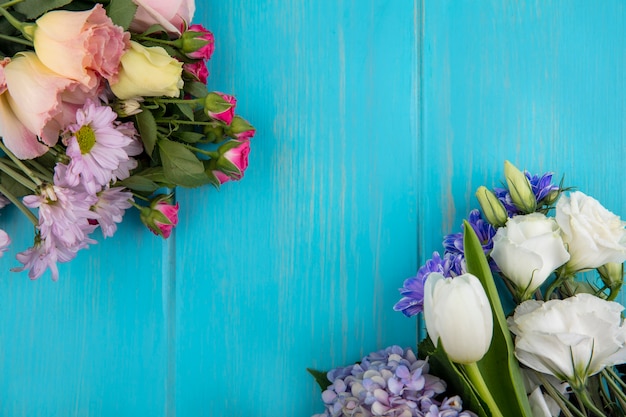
(538, 83)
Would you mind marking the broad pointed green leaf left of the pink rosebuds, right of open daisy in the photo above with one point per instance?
(180, 165)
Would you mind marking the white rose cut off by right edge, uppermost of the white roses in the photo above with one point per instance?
(594, 236)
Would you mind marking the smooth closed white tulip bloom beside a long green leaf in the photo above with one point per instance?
(457, 313)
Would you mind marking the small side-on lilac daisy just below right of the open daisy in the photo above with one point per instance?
(110, 208)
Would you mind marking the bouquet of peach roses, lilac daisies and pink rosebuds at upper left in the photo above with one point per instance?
(104, 106)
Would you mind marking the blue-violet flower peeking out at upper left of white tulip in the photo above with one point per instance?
(412, 291)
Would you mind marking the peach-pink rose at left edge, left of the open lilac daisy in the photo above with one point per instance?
(42, 101)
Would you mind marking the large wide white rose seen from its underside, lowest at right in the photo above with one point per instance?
(571, 339)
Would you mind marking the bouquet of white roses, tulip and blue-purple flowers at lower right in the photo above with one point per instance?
(518, 322)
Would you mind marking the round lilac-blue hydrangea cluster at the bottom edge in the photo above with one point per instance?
(391, 382)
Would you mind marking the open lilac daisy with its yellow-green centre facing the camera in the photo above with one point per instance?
(96, 146)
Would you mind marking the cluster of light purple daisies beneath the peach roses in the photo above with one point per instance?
(79, 199)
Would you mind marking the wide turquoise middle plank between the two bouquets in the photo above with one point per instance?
(298, 265)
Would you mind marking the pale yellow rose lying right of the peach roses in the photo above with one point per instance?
(148, 72)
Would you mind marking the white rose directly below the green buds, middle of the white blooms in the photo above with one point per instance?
(528, 250)
